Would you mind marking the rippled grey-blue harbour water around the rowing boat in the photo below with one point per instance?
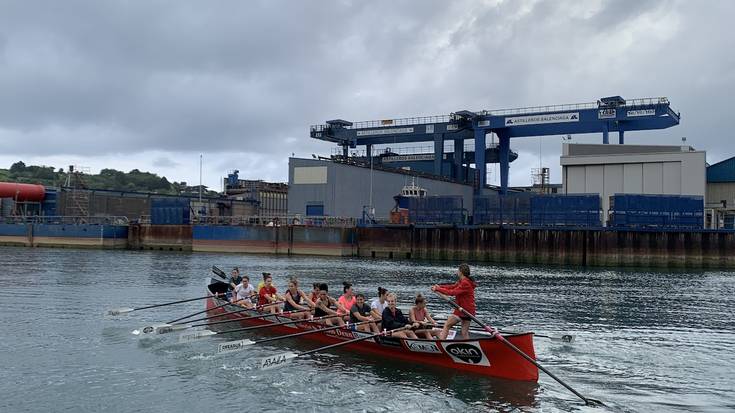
(645, 341)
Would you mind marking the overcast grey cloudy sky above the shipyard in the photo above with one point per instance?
(154, 84)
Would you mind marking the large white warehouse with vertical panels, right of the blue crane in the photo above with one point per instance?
(632, 169)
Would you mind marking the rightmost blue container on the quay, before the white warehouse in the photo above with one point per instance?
(656, 211)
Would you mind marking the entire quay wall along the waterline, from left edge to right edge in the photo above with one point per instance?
(522, 245)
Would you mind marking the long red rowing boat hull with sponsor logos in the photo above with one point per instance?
(481, 354)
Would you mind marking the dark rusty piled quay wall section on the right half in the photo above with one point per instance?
(600, 247)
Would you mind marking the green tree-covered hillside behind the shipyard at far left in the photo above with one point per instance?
(134, 180)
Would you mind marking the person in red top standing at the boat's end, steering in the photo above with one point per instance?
(464, 291)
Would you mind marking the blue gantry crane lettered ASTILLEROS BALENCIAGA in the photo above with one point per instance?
(610, 114)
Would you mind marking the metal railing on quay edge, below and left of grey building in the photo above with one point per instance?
(271, 221)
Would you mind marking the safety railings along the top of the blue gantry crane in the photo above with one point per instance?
(500, 112)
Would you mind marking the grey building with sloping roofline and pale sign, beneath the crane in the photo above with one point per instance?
(323, 187)
